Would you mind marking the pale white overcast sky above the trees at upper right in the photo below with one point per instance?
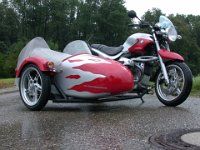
(167, 7)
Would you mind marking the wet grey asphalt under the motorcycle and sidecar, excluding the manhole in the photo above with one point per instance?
(114, 125)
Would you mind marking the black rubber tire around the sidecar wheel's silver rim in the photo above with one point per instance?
(46, 88)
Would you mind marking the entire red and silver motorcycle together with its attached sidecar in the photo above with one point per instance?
(123, 73)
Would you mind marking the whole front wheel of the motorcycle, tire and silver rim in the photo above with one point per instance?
(179, 87)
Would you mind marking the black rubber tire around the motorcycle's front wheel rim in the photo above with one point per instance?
(186, 89)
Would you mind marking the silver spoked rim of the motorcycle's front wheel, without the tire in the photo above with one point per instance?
(176, 83)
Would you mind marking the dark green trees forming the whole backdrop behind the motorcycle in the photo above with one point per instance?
(95, 21)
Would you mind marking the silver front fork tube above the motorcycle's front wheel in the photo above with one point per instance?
(163, 67)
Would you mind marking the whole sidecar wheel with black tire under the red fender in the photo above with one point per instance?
(34, 88)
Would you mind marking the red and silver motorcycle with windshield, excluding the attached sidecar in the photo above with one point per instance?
(150, 59)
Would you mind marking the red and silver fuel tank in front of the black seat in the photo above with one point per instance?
(137, 43)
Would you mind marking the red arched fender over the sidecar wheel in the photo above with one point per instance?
(41, 63)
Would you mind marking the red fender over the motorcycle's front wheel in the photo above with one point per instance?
(167, 55)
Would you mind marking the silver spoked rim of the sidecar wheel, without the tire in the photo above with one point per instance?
(31, 86)
